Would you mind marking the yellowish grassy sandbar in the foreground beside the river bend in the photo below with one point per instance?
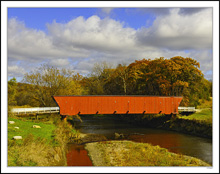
(128, 153)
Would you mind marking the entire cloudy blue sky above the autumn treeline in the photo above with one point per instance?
(77, 38)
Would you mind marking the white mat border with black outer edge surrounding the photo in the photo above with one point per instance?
(213, 4)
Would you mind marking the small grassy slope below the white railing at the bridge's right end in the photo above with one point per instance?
(203, 115)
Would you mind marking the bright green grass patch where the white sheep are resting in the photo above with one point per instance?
(26, 128)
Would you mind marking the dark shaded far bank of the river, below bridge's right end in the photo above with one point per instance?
(192, 127)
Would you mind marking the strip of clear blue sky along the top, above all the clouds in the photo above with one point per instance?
(38, 17)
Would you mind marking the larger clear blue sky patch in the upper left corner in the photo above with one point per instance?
(38, 17)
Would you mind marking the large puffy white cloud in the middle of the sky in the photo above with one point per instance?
(93, 34)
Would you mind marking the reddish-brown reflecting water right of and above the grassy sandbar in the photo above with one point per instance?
(179, 143)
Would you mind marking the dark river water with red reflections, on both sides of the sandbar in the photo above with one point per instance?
(110, 126)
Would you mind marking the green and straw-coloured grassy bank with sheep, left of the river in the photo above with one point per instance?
(43, 146)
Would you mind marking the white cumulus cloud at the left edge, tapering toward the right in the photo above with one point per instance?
(31, 44)
